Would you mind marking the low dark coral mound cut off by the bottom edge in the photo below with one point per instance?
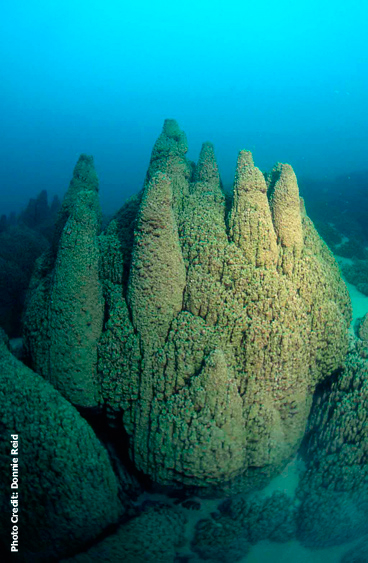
(152, 537)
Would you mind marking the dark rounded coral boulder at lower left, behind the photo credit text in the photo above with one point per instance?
(68, 493)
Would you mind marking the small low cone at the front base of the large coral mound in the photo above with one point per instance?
(199, 427)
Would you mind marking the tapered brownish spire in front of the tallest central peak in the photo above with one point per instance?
(155, 299)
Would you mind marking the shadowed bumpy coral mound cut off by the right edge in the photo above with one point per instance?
(335, 484)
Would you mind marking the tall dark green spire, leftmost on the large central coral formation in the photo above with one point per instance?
(65, 309)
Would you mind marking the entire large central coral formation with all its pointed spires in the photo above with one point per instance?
(203, 330)
